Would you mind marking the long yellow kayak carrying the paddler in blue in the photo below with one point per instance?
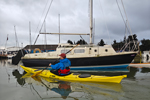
(76, 77)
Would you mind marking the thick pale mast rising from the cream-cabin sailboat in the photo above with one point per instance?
(91, 20)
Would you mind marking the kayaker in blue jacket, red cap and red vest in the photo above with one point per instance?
(61, 68)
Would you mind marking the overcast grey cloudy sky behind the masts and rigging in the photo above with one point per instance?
(74, 18)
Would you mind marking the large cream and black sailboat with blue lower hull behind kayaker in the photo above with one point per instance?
(83, 57)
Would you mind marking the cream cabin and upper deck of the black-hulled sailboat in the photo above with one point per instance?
(78, 52)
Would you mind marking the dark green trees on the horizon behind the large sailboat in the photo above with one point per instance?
(144, 44)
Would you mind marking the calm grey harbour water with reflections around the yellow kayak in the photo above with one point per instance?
(135, 87)
